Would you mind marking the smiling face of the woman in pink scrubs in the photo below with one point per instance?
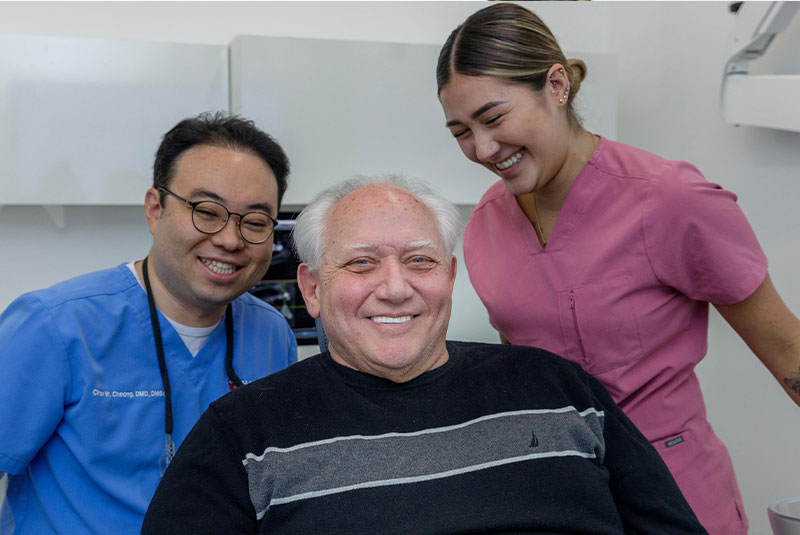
(518, 134)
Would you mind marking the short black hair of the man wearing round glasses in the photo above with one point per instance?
(224, 130)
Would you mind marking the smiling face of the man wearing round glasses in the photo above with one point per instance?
(195, 275)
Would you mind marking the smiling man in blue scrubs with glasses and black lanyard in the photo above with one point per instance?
(106, 373)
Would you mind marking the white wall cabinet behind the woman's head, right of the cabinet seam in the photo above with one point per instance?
(340, 108)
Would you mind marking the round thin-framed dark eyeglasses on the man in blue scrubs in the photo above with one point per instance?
(209, 217)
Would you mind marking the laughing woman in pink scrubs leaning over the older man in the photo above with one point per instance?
(606, 254)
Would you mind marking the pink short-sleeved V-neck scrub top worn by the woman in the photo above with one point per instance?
(639, 249)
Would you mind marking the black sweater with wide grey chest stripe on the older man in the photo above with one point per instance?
(500, 439)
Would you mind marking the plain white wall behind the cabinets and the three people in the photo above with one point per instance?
(670, 61)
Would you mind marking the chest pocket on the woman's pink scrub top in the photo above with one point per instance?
(600, 331)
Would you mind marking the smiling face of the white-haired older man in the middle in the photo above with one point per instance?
(384, 286)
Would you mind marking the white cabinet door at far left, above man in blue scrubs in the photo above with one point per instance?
(81, 119)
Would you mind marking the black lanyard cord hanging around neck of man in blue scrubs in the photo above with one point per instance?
(233, 379)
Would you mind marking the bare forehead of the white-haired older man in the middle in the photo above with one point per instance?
(380, 215)
